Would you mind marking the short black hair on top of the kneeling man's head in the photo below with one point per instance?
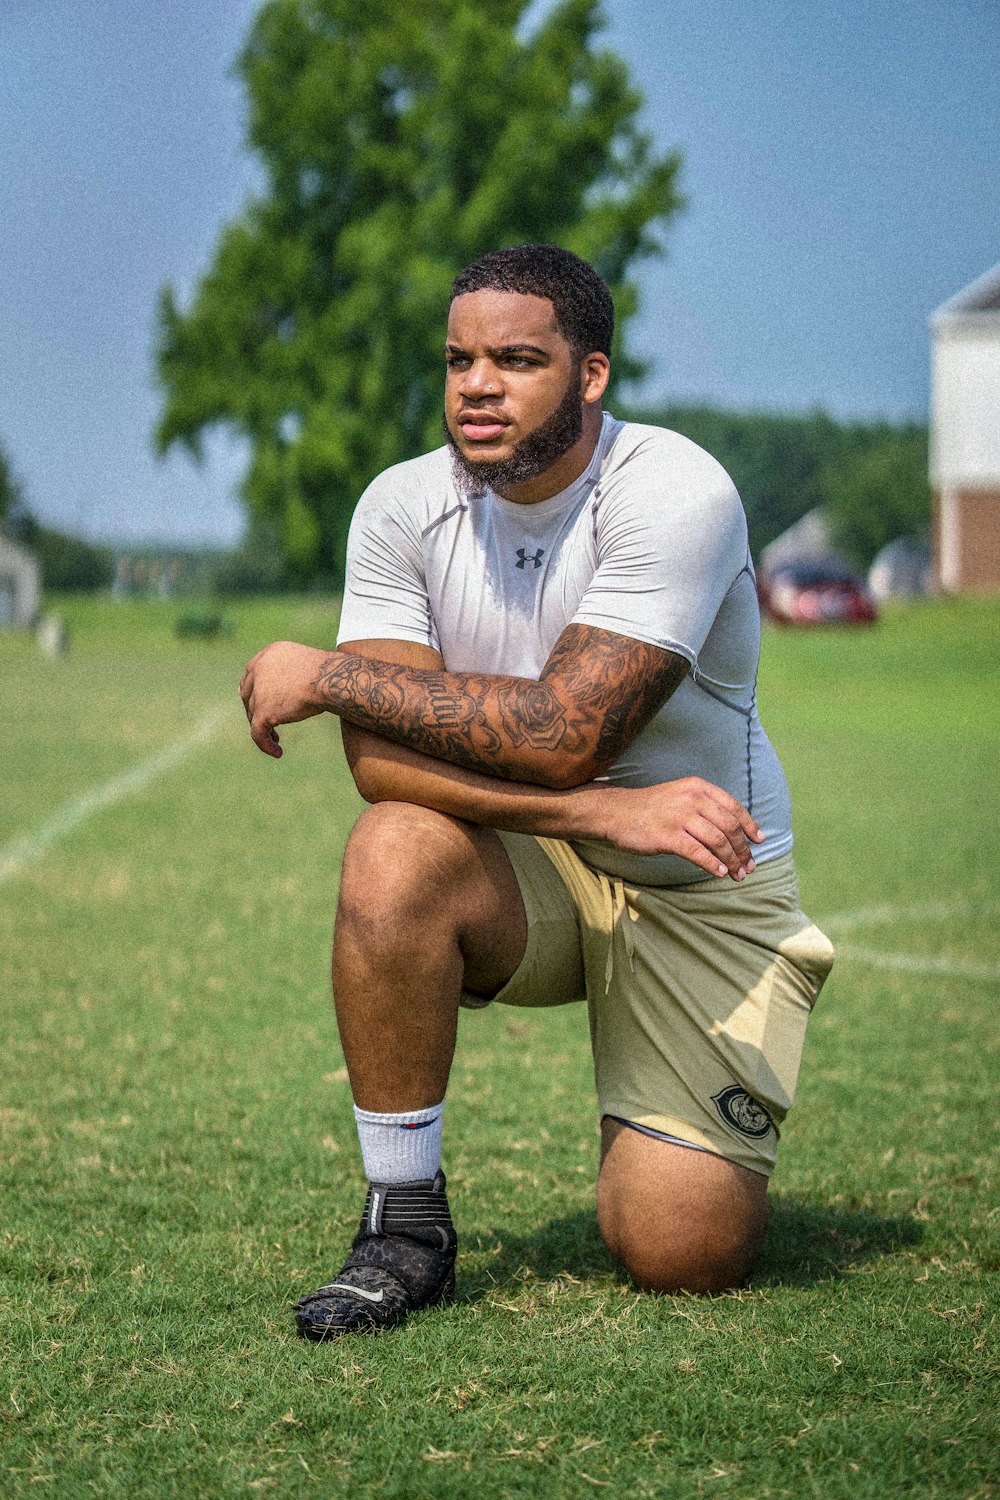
(585, 314)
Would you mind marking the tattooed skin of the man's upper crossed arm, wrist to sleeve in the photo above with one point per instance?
(596, 694)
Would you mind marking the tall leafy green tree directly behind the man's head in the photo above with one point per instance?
(400, 140)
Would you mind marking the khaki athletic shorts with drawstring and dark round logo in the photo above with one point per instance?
(698, 995)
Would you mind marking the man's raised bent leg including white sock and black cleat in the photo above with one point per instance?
(430, 905)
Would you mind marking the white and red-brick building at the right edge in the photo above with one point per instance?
(966, 437)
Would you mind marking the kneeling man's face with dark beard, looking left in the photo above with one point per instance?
(513, 403)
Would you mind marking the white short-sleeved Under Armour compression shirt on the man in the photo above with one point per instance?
(650, 542)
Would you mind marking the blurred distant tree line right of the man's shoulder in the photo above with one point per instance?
(869, 478)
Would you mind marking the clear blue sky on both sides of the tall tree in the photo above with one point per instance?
(840, 161)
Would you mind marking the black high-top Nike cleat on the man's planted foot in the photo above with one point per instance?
(403, 1261)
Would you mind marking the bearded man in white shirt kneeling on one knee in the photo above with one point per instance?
(546, 685)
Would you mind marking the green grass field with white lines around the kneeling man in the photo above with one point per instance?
(179, 1156)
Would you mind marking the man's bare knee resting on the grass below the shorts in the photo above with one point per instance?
(678, 1220)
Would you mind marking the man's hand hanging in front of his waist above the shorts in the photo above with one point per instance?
(690, 818)
